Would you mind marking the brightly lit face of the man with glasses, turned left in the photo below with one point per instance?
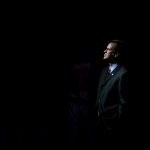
(110, 52)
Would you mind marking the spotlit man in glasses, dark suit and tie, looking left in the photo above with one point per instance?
(112, 94)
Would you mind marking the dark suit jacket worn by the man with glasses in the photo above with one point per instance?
(112, 97)
